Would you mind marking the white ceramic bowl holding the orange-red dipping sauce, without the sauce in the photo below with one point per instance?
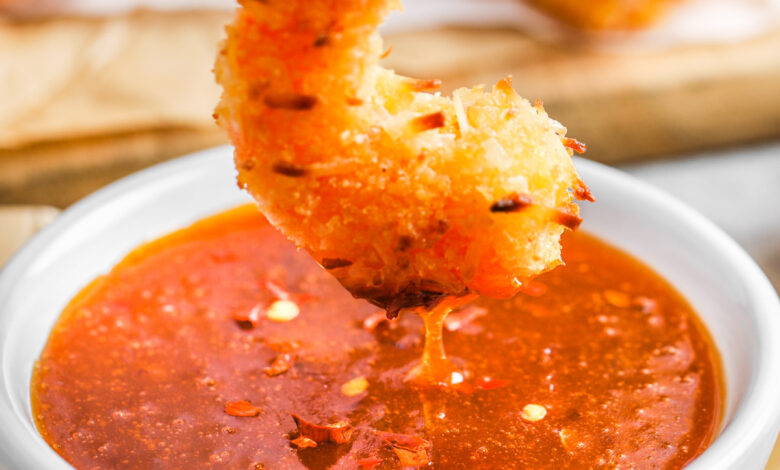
(724, 285)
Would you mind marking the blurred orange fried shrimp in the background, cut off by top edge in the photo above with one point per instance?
(606, 14)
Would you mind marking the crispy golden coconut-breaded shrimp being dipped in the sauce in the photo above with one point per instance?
(401, 193)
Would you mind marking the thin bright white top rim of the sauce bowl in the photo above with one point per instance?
(756, 416)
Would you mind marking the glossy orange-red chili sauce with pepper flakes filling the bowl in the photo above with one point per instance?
(139, 369)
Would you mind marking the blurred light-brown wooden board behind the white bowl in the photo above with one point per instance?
(625, 106)
